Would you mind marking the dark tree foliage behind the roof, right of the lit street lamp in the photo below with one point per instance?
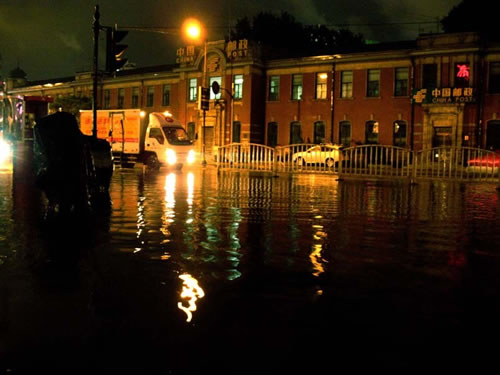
(284, 36)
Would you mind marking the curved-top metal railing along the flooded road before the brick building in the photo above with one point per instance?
(377, 161)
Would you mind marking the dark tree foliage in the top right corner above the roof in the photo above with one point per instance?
(472, 15)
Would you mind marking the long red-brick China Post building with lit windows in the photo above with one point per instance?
(442, 89)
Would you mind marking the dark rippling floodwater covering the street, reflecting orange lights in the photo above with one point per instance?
(206, 271)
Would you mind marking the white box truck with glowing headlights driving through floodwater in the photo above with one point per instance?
(157, 140)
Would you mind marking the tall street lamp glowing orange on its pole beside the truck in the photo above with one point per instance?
(193, 31)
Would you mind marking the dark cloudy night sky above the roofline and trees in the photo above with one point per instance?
(53, 38)
